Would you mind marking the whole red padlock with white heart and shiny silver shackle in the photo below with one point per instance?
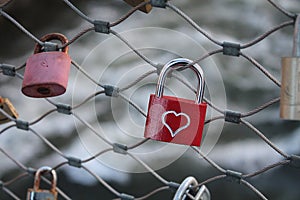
(173, 119)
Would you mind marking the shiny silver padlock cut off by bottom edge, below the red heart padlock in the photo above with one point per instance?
(188, 186)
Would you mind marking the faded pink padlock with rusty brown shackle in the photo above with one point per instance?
(46, 73)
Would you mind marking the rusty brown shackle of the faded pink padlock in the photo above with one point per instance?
(52, 36)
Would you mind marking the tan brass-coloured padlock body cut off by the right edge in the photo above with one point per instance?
(290, 89)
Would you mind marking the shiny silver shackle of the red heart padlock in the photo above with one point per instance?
(183, 63)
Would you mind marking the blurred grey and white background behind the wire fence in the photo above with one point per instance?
(161, 36)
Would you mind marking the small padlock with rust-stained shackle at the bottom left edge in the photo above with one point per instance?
(36, 193)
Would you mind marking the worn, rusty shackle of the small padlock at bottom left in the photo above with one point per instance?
(37, 178)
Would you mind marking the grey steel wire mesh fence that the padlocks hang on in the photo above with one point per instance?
(166, 184)
